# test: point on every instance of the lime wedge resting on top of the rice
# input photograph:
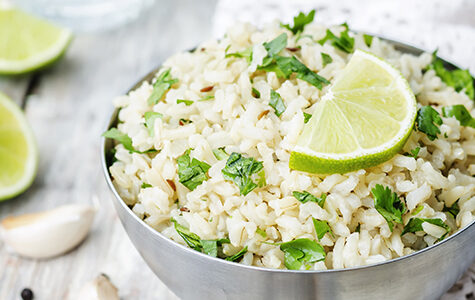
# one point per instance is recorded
(363, 120)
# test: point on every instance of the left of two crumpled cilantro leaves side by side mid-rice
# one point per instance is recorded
(191, 172)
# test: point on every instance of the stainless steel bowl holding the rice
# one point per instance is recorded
(426, 274)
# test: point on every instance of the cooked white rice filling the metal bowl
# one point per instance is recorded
(442, 173)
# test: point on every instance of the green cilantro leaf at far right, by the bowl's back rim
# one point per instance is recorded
(458, 79)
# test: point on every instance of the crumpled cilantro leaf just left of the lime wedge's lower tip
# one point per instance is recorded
(239, 169)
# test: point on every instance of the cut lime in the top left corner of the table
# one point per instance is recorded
(28, 43)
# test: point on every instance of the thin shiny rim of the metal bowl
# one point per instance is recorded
(400, 46)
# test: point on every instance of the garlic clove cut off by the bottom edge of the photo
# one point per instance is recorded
(99, 289)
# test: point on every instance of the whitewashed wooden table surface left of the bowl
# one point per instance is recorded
(68, 107)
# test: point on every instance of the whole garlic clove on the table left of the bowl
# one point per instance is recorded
(49, 233)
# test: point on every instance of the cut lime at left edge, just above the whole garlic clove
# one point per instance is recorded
(18, 152)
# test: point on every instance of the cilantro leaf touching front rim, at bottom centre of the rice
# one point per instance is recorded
(301, 251)
